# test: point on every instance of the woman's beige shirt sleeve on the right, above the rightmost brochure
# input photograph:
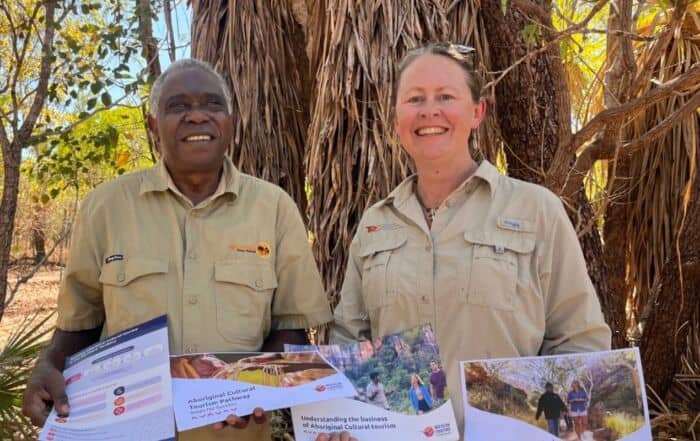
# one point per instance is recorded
(574, 321)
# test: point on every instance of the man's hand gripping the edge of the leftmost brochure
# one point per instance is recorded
(46, 387)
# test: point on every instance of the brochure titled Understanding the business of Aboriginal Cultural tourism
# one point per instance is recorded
(401, 391)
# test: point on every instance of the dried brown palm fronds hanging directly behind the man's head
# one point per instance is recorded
(258, 47)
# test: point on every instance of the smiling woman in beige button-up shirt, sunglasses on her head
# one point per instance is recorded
(492, 263)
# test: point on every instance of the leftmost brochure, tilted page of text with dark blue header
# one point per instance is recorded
(118, 389)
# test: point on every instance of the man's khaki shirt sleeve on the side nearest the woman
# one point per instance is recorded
(299, 301)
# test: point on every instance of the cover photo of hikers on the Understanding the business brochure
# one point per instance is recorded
(400, 372)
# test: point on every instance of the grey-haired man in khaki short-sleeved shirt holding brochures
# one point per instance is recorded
(223, 254)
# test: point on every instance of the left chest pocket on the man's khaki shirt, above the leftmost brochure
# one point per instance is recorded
(134, 290)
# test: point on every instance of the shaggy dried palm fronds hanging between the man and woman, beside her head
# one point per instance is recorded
(352, 158)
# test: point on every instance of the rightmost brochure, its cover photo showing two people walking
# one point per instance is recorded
(590, 396)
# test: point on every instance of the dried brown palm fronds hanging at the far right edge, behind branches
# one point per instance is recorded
(661, 172)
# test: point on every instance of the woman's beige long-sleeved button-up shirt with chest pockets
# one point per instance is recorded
(499, 274)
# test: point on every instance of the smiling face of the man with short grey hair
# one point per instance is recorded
(192, 125)
